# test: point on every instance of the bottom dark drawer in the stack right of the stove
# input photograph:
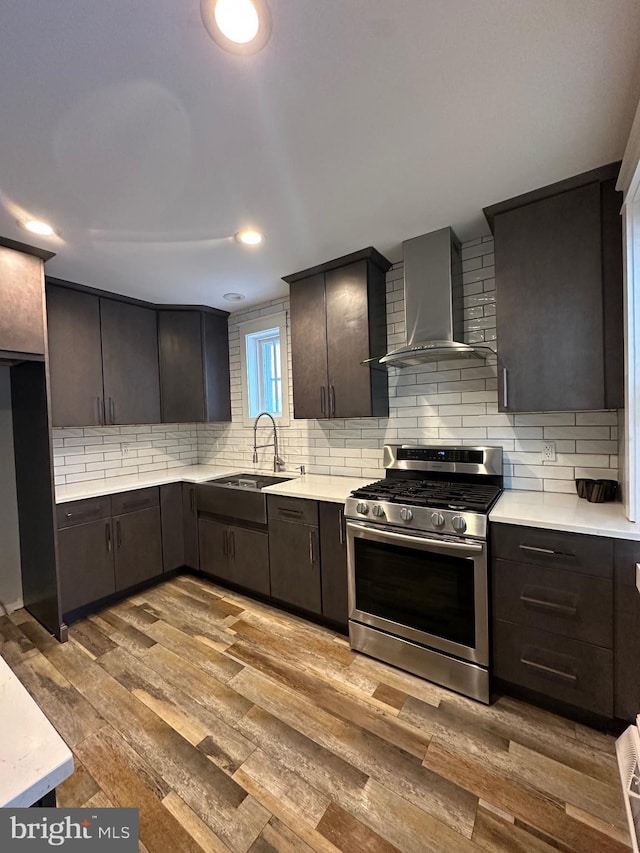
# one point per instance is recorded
(579, 674)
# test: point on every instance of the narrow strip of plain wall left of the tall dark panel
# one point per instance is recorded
(10, 574)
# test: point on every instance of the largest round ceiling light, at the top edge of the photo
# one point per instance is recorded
(239, 26)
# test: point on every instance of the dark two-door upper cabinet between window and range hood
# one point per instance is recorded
(338, 320)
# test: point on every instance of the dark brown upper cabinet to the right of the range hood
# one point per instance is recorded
(558, 255)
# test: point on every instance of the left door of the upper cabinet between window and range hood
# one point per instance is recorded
(309, 348)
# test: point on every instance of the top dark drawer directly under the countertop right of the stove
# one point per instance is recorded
(554, 549)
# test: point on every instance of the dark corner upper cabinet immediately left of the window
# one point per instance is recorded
(194, 366)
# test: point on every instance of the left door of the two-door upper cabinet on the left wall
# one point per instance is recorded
(75, 357)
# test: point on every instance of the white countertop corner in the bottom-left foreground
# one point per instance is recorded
(33, 757)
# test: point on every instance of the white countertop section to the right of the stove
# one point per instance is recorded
(563, 512)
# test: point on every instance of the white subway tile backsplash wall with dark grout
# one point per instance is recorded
(453, 402)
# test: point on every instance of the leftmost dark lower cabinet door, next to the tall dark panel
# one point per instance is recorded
(85, 563)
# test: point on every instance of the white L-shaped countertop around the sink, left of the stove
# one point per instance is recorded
(319, 487)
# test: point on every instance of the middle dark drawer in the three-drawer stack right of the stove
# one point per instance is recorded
(565, 603)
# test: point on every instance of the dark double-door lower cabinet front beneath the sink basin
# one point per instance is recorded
(235, 554)
